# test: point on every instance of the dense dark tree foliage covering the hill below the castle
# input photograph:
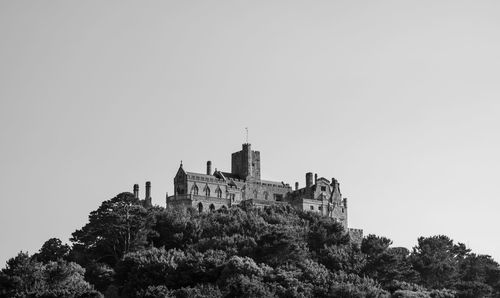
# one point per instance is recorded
(126, 250)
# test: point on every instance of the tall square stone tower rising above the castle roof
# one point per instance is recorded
(246, 163)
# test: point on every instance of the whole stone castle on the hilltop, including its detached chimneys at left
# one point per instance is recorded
(243, 186)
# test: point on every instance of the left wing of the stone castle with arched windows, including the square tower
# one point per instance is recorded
(218, 189)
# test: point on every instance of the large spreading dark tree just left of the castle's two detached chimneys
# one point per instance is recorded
(118, 226)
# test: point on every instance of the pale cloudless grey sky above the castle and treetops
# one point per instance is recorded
(398, 100)
